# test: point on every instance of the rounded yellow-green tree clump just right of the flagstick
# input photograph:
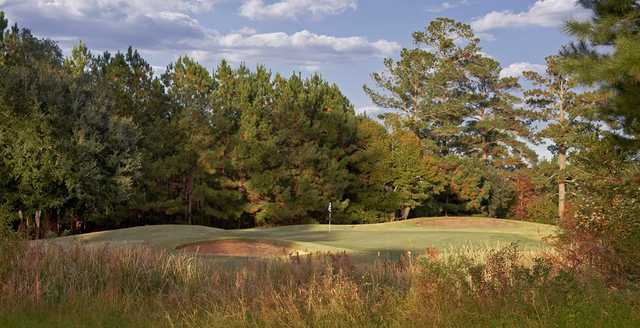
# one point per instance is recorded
(400, 175)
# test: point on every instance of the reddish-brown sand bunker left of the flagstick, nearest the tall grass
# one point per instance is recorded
(239, 248)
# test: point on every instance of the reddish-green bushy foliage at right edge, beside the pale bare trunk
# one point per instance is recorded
(607, 207)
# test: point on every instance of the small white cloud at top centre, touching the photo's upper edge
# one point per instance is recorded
(291, 9)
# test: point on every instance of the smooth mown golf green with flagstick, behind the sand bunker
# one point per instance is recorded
(387, 239)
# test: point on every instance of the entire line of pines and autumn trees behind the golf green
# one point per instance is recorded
(99, 141)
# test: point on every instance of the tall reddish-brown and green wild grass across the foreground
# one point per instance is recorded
(42, 285)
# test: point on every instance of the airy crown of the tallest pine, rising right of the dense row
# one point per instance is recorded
(427, 84)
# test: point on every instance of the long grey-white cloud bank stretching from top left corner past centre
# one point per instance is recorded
(167, 29)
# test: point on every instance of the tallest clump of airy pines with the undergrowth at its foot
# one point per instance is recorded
(452, 97)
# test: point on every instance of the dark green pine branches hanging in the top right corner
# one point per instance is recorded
(615, 26)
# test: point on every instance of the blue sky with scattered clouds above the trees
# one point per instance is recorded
(343, 40)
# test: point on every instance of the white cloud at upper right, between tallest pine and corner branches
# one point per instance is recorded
(543, 13)
